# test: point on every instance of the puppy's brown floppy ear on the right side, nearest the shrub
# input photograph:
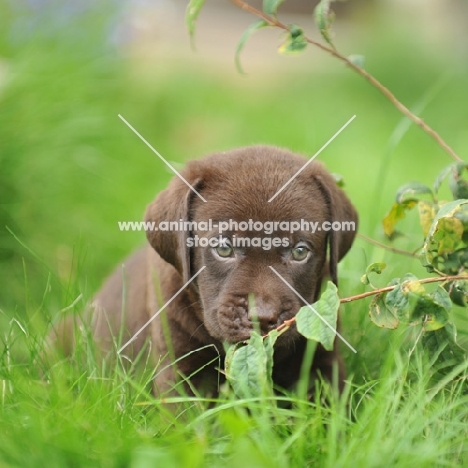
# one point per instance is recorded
(340, 209)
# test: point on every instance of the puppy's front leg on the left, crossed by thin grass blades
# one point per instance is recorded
(186, 357)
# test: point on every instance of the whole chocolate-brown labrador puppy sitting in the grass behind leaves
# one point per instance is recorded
(230, 261)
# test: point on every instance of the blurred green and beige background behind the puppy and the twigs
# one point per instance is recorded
(70, 169)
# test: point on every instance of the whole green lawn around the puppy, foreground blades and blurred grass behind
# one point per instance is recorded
(70, 170)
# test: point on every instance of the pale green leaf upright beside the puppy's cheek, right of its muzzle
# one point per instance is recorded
(309, 323)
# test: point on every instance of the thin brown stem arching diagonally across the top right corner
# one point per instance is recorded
(367, 76)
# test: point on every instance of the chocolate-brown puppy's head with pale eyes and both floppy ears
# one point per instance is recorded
(256, 254)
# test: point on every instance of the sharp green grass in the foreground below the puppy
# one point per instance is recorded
(80, 415)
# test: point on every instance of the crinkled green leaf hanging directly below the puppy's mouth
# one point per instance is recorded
(246, 368)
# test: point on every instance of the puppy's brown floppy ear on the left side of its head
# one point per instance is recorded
(173, 204)
